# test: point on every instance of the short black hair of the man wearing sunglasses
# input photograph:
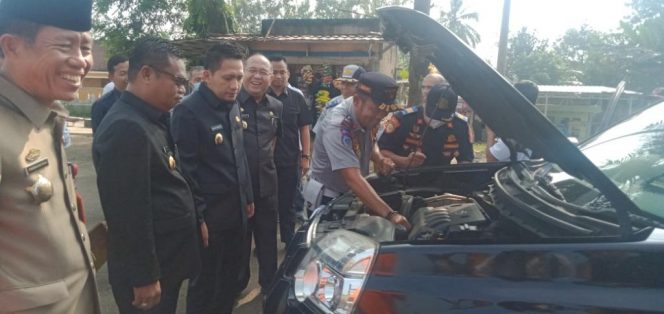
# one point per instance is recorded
(151, 51)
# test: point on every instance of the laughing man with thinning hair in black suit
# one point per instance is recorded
(262, 113)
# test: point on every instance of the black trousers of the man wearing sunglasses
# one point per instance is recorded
(124, 295)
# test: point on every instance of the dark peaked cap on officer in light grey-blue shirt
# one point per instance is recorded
(381, 88)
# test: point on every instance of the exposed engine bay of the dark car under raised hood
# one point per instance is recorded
(500, 211)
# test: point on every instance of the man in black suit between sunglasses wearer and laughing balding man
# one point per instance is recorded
(207, 128)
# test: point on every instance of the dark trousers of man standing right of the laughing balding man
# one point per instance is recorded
(288, 177)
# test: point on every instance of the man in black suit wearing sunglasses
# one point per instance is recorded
(146, 200)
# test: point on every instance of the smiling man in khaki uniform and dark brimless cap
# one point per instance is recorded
(45, 260)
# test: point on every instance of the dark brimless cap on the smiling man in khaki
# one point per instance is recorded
(75, 15)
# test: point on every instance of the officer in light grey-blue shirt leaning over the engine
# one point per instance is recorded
(344, 146)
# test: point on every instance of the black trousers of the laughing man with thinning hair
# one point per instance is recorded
(262, 228)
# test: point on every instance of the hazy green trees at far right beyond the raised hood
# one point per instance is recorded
(585, 56)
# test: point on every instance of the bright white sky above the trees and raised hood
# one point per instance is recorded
(548, 18)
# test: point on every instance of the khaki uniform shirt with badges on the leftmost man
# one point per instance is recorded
(45, 260)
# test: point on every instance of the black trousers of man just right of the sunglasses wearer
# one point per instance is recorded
(216, 288)
